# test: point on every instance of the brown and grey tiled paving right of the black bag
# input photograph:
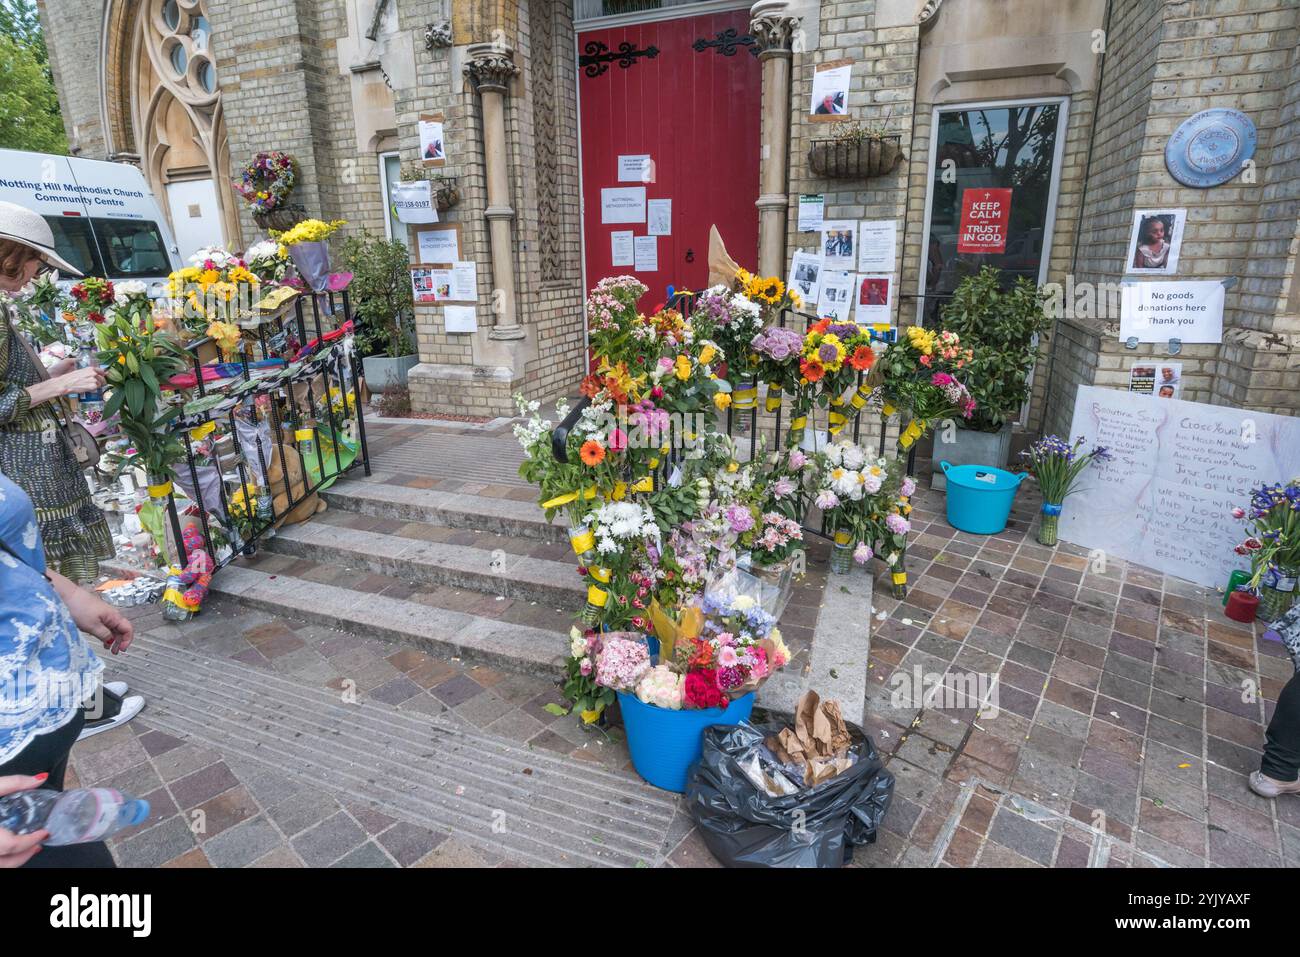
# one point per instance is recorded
(1130, 711)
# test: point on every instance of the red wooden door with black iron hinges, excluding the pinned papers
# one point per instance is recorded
(686, 93)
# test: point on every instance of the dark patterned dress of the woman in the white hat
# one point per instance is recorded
(37, 456)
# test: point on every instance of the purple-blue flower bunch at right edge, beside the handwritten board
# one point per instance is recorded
(1273, 545)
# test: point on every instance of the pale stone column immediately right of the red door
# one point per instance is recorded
(774, 31)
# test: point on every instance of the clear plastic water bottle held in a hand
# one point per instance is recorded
(72, 817)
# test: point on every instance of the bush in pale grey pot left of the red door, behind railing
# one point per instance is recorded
(382, 289)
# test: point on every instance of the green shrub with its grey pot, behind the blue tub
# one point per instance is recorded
(1002, 328)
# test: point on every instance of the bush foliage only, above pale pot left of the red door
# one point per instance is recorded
(382, 292)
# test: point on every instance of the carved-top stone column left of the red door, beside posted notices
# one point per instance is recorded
(491, 67)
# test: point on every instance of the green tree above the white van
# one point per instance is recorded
(29, 106)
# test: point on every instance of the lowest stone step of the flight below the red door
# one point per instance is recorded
(431, 629)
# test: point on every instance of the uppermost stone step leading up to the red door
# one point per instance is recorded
(508, 517)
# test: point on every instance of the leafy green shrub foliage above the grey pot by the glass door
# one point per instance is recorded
(1000, 327)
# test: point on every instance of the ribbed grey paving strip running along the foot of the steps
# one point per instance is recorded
(437, 772)
